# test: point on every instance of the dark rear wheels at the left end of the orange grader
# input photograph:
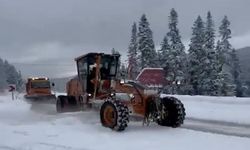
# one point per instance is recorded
(67, 104)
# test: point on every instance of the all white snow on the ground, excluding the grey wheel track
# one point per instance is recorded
(23, 127)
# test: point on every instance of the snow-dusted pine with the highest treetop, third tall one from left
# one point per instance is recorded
(176, 56)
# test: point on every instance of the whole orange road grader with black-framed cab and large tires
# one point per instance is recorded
(97, 86)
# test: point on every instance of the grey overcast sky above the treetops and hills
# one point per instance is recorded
(42, 37)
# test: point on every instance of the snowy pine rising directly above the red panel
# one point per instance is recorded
(146, 48)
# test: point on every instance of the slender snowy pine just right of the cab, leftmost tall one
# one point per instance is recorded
(133, 68)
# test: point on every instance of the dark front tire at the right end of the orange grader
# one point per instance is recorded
(172, 112)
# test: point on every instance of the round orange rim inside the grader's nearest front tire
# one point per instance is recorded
(109, 116)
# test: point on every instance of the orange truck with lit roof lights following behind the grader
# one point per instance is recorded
(38, 89)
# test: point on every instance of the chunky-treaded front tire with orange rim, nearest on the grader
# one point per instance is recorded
(114, 115)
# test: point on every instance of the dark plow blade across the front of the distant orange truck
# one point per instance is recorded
(47, 99)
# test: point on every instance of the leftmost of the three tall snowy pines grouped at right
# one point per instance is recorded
(197, 56)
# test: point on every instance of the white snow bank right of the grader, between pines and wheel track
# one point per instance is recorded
(229, 109)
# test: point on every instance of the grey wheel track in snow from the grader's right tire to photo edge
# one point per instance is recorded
(217, 127)
